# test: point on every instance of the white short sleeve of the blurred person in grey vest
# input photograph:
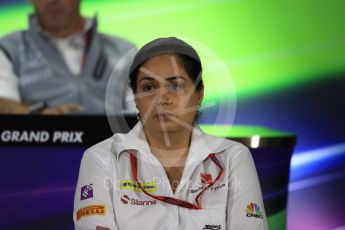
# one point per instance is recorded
(8, 79)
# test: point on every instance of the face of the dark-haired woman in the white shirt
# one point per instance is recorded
(165, 95)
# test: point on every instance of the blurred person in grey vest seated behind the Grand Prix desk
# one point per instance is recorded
(60, 65)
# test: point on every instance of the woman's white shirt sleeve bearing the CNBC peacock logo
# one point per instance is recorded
(245, 204)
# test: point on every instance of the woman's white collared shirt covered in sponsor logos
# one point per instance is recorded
(107, 194)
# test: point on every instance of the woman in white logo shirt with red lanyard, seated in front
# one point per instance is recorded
(166, 173)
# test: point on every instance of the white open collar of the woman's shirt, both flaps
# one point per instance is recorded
(201, 146)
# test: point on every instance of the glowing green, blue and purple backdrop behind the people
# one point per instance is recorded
(287, 63)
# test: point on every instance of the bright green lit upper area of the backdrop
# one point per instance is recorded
(266, 45)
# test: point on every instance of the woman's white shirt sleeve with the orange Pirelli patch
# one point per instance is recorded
(93, 204)
